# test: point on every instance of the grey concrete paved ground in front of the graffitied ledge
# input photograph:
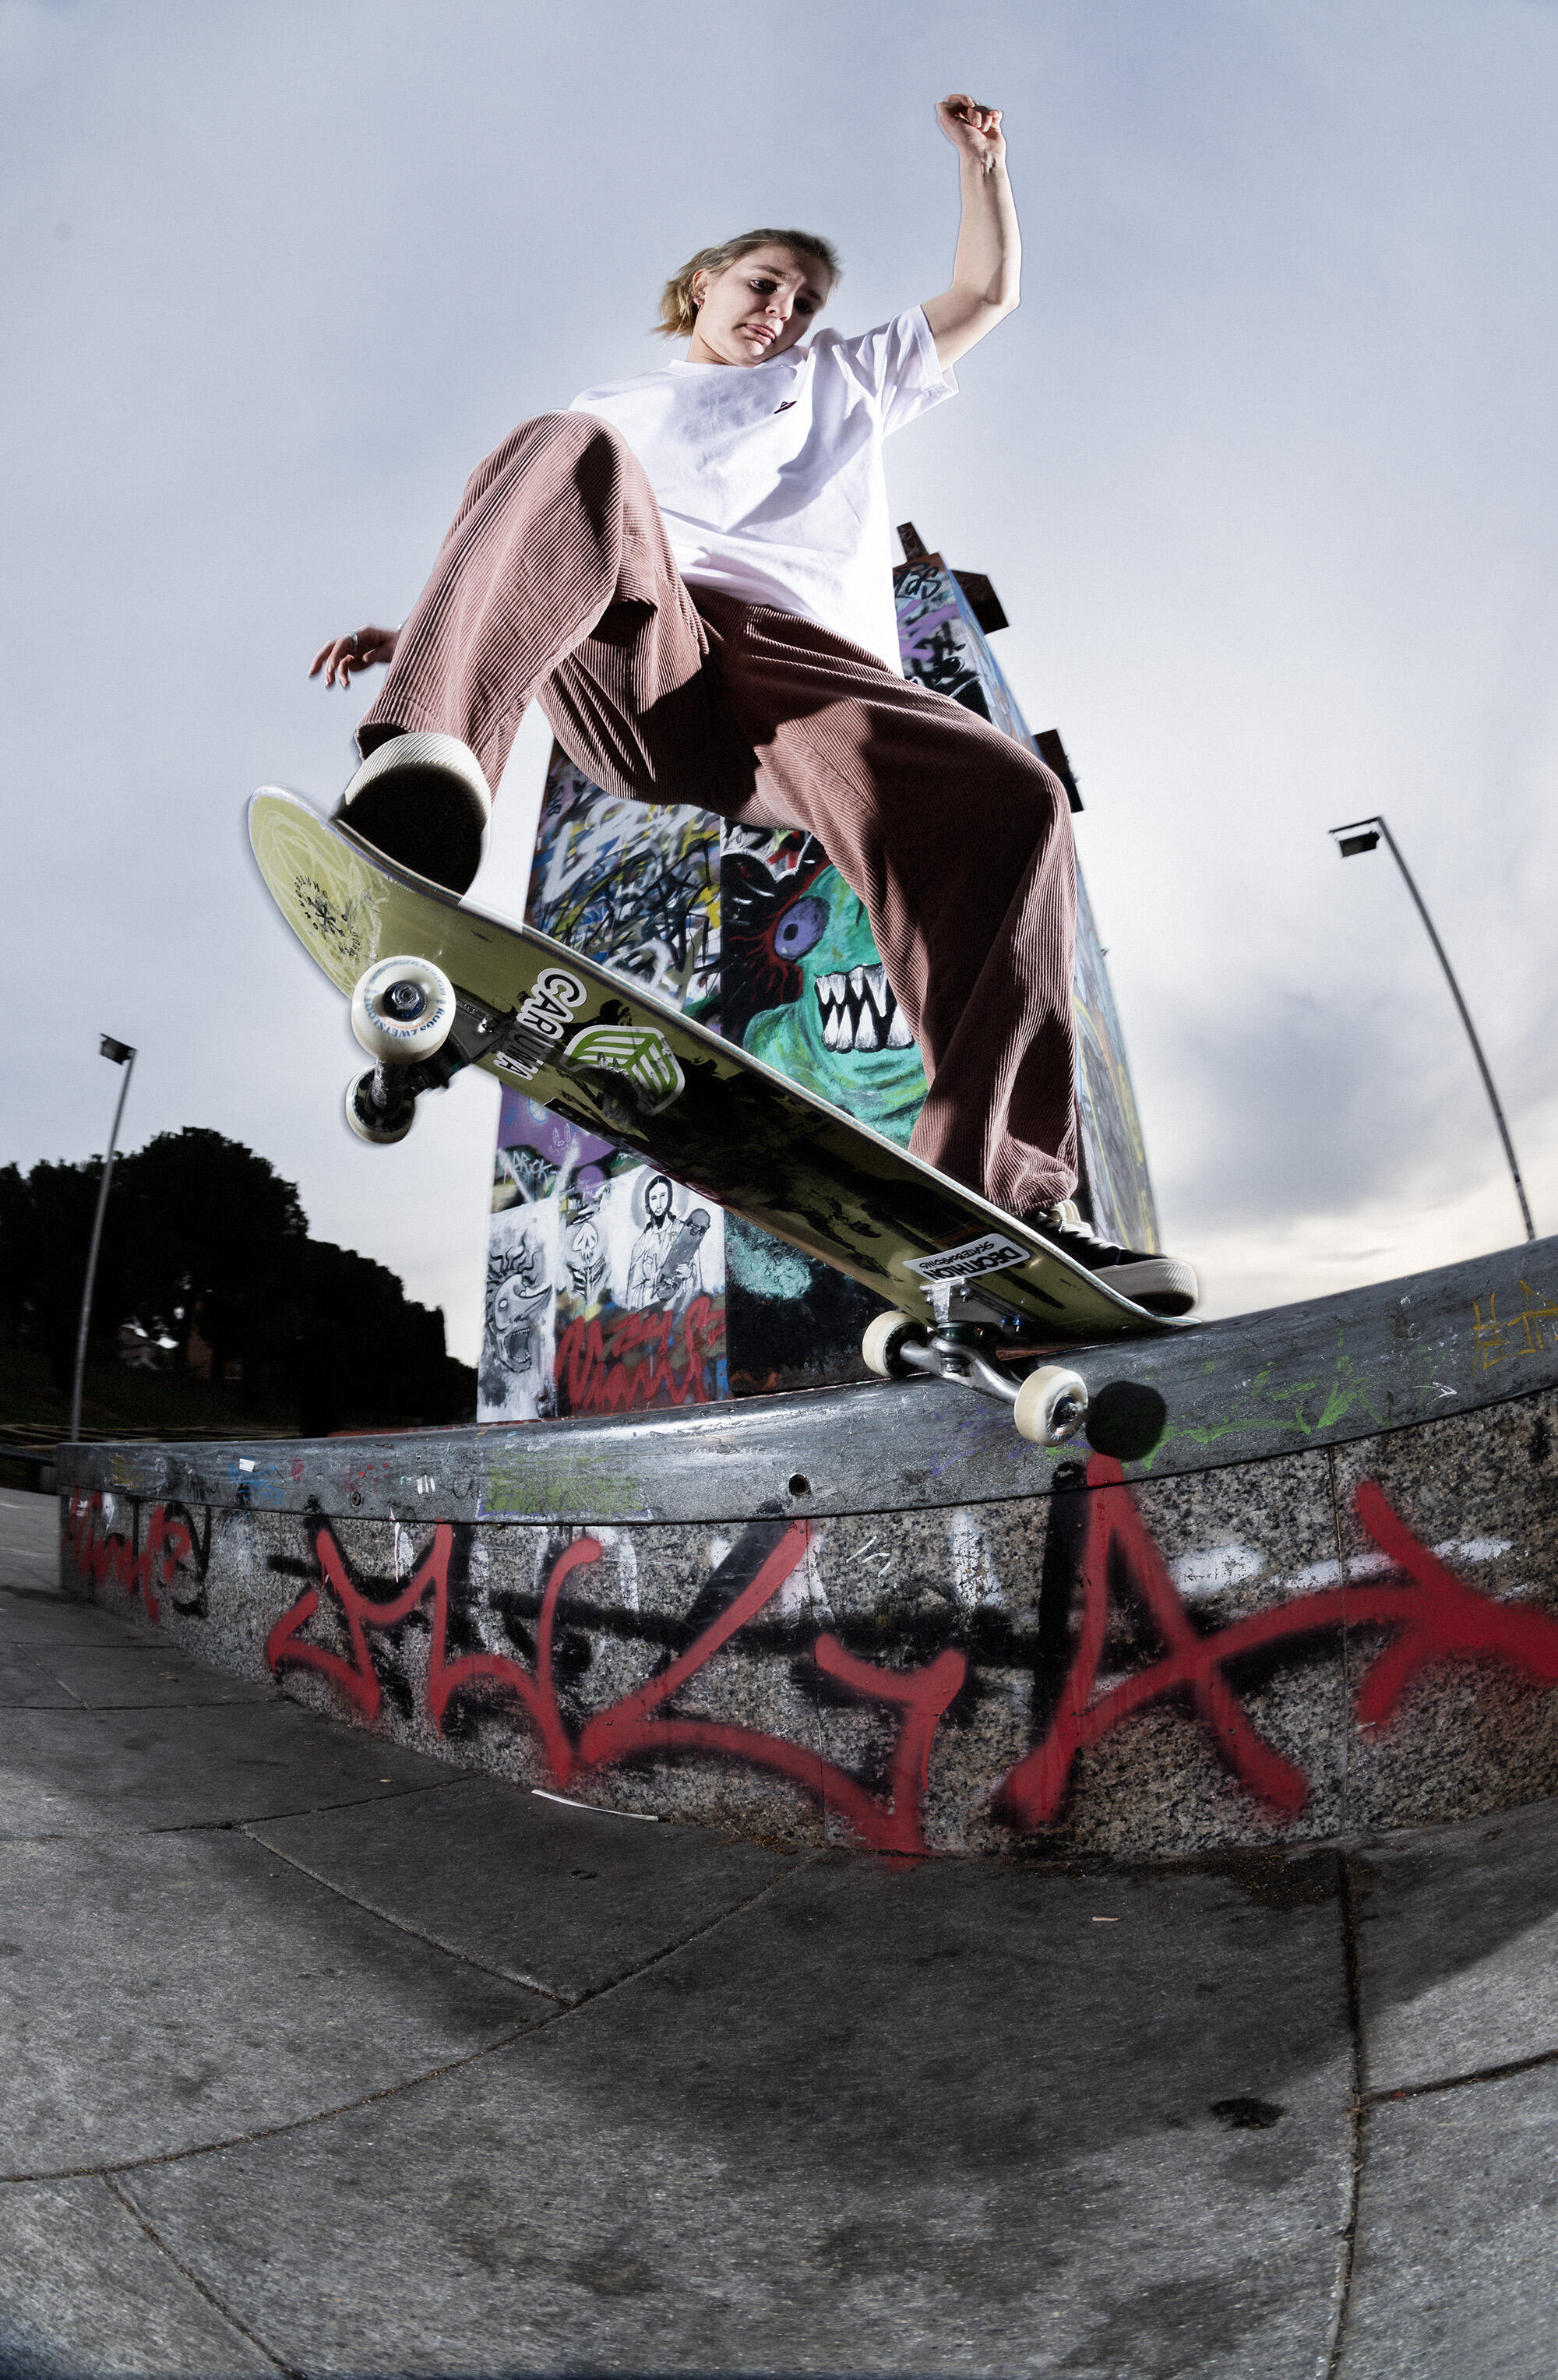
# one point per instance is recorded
(325, 2058)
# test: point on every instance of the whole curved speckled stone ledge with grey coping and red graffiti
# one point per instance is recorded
(1319, 1612)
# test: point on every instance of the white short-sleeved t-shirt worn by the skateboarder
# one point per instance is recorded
(769, 477)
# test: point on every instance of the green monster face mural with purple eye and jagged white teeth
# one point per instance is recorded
(805, 989)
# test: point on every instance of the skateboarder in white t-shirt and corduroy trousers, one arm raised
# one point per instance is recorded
(691, 572)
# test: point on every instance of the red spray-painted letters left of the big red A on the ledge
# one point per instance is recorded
(634, 1724)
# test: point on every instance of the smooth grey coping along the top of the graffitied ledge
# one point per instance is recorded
(1236, 1391)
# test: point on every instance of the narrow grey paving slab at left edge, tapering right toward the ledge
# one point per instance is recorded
(122, 1772)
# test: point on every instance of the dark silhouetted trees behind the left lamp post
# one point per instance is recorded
(208, 1248)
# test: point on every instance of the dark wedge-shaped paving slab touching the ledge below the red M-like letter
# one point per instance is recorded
(563, 1898)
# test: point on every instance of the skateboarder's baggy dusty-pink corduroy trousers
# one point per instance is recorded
(558, 584)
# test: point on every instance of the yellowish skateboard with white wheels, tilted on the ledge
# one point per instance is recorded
(436, 987)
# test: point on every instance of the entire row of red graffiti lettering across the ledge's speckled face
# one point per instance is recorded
(1424, 1617)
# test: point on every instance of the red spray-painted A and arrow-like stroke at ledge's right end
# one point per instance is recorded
(1433, 1612)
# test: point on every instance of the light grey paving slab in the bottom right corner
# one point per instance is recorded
(1457, 2224)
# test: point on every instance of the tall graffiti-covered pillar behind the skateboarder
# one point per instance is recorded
(612, 1289)
